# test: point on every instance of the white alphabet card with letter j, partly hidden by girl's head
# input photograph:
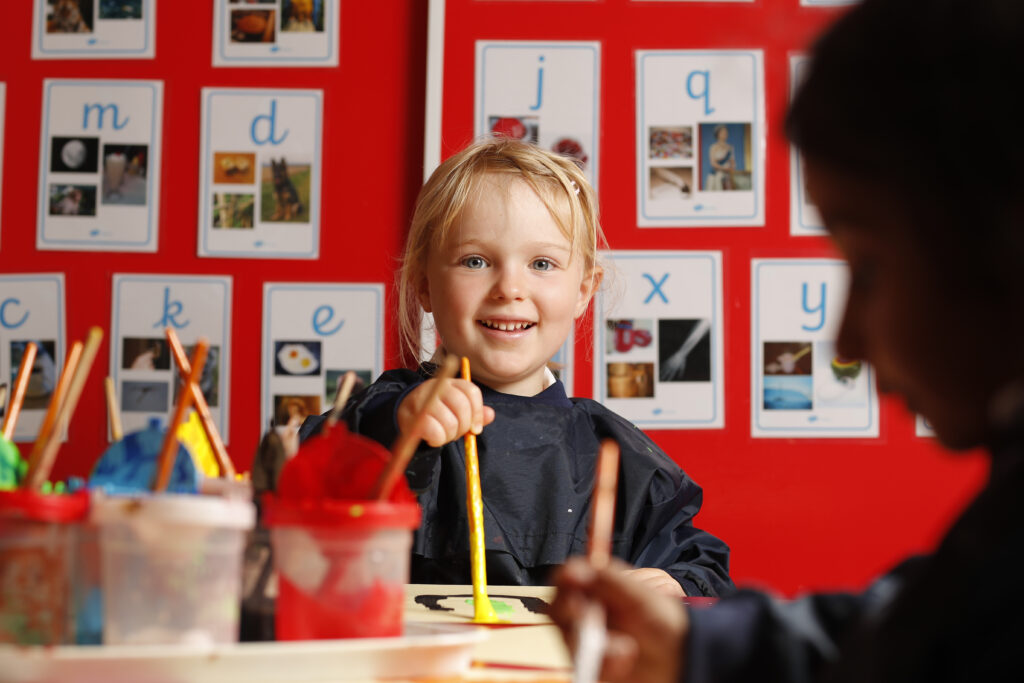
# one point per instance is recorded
(545, 94)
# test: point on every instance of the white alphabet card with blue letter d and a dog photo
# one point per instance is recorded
(261, 174)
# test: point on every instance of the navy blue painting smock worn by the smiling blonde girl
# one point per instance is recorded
(537, 473)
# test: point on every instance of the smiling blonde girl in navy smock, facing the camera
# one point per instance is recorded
(503, 252)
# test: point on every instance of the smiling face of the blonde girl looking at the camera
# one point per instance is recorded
(506, 288)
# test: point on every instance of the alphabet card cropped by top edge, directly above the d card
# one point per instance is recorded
(276, 33)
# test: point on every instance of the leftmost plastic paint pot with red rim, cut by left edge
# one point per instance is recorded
(37, 561)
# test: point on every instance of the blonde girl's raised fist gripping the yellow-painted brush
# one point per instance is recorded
(459, 409)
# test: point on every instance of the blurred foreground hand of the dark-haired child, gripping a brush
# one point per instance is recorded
(647, 633)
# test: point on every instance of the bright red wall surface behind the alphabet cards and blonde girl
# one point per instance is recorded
(799, 514)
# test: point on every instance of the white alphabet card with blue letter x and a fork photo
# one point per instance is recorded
(660, 347)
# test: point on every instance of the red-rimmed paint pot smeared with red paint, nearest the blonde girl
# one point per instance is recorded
(343, 567)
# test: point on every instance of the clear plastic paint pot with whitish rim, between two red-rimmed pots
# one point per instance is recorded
(172, 568)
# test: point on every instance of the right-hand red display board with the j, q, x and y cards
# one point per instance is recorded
(676, 78)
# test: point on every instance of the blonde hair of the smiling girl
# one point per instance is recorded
(457, 182)
